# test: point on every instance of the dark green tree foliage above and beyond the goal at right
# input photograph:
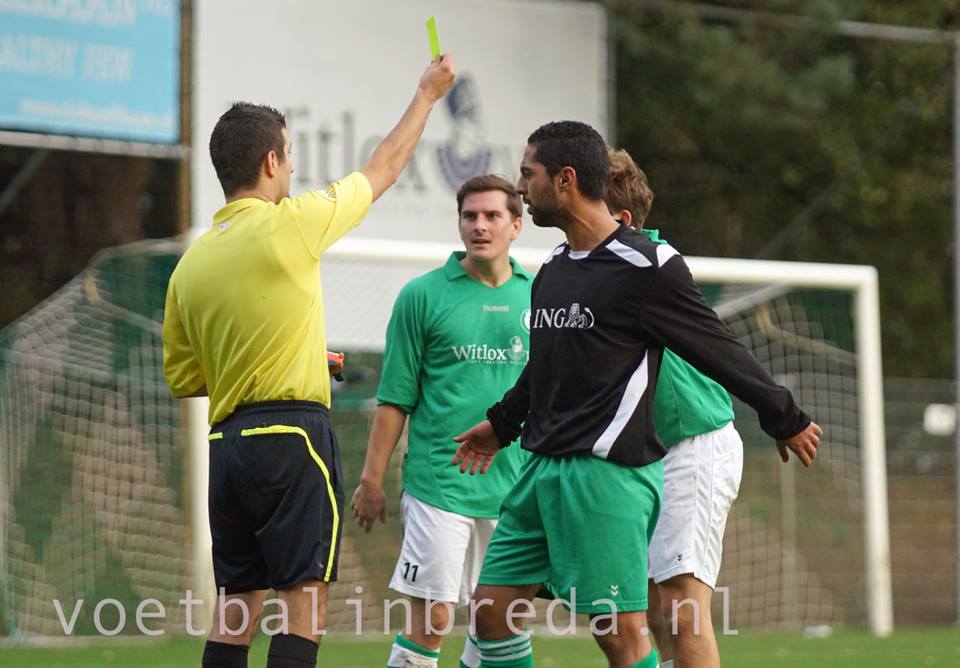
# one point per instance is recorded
(795, 144)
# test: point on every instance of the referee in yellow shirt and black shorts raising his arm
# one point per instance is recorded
(244, 324)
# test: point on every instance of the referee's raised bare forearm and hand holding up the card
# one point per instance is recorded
(394, 152)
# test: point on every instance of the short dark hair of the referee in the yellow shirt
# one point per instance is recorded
(241, 140)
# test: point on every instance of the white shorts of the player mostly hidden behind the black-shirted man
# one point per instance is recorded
(701, 478)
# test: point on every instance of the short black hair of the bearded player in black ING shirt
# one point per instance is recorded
(573, 144)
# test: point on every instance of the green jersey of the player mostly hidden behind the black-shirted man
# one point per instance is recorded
(686, 402)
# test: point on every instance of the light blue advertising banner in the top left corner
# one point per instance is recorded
(93, 68)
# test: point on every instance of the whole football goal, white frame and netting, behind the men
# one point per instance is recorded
(102, 496)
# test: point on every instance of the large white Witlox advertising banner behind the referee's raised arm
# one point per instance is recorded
(344, 72)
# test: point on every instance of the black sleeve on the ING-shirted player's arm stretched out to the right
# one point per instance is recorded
(677, 316)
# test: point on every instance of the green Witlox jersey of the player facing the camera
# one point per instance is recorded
(454, 346)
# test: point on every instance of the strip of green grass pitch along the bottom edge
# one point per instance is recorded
(907, 648)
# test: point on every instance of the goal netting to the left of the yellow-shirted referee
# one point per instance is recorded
(92, 467)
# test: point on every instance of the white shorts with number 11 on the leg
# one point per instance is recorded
(442, 552)
